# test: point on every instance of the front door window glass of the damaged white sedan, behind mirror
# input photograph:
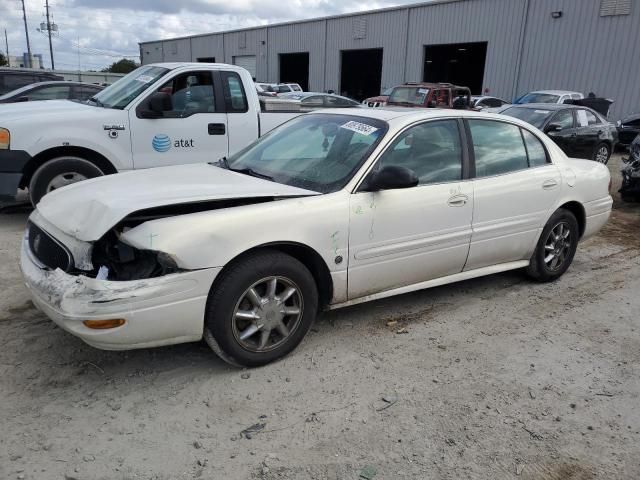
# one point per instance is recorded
(431, 150)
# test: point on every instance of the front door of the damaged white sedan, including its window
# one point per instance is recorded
(406, 236)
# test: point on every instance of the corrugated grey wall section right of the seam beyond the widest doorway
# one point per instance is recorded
(583, 51)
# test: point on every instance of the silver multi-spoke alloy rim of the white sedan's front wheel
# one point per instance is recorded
(267, 314)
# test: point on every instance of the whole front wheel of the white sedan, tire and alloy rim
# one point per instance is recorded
(261, 308)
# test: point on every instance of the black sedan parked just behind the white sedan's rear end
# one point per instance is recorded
(579, 131)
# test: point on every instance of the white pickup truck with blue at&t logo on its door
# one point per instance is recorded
(159, 114)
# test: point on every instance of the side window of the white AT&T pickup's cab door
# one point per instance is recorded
(190, 93)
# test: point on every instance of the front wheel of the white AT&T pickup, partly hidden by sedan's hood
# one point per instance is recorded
(60, 172)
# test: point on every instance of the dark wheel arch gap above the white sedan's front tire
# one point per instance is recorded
(306, 255)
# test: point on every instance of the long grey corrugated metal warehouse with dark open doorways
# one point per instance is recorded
(505, 47)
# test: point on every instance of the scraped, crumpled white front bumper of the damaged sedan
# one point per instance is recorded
(158, 311)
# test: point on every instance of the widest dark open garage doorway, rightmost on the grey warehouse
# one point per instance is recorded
(457, 63)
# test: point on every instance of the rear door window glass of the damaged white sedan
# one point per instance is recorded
(498, 148)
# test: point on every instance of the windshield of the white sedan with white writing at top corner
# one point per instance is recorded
(319, 152)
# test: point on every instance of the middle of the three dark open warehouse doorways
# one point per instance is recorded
(361, 73)
